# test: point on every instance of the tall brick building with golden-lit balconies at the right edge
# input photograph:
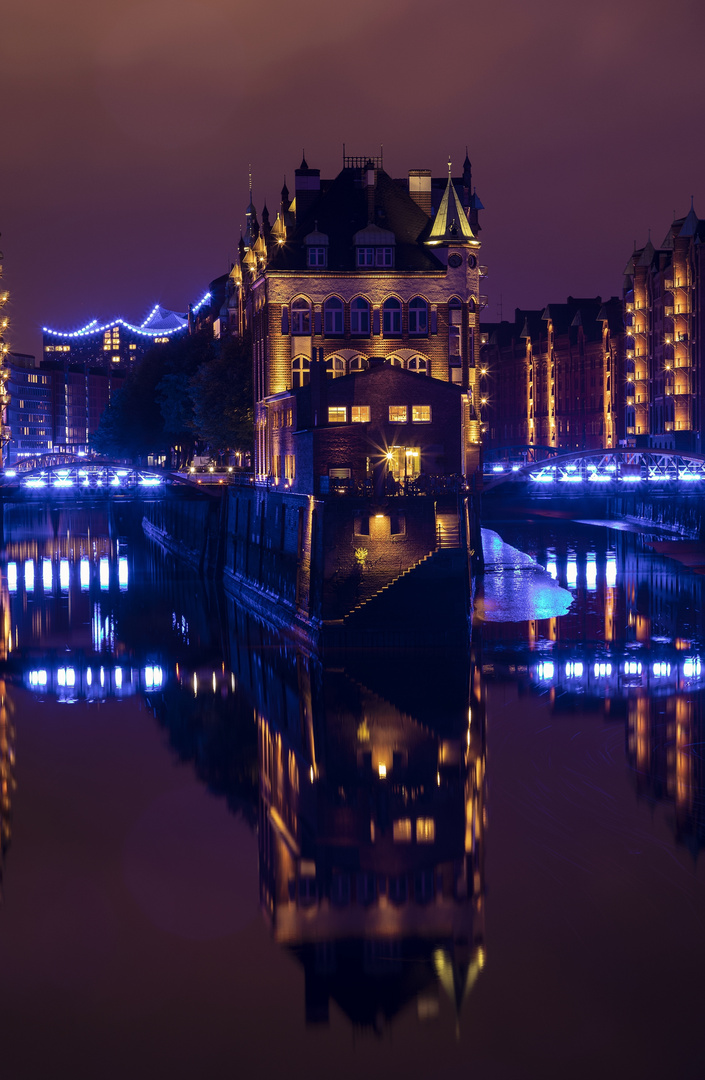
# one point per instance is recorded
(665, 301)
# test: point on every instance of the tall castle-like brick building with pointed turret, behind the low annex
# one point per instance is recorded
(360, 268)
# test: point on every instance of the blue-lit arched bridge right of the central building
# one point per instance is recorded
(590, 472)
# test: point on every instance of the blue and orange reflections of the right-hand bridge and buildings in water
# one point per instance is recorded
(631, 645)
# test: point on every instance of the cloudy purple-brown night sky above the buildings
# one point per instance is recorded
(129, 126)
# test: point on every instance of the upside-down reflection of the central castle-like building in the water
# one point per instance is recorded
(372, 834)
